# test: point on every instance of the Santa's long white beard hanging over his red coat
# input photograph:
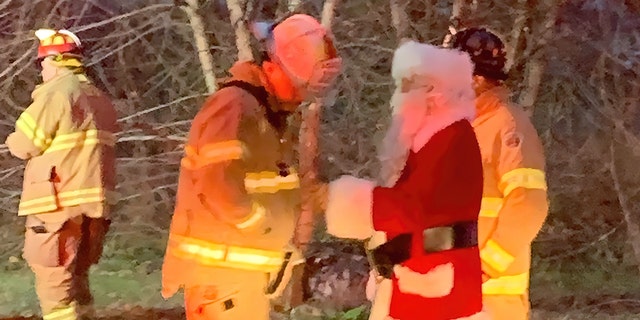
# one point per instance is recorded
(409, 111)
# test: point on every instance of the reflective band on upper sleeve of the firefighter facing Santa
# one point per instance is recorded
(212, 153)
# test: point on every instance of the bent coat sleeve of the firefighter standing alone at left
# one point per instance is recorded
(37, 125)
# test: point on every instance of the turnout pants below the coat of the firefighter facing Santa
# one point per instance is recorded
(238, 294)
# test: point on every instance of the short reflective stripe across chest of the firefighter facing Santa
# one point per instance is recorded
(270, 182)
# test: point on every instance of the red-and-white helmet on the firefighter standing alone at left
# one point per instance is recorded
(58, 42)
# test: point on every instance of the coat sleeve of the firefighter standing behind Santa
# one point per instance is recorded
(524, 208)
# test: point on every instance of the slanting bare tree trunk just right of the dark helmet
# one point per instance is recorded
(537, 64)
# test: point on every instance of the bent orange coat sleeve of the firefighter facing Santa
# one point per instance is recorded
(217, 170)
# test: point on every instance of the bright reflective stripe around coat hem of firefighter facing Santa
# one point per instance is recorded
(220, 255)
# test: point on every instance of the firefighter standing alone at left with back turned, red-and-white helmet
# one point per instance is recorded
(67, 138)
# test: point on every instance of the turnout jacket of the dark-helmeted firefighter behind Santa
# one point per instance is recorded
(514, 204)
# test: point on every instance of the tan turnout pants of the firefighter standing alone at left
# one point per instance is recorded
(60, 255)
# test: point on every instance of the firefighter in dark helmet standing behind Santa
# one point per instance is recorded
(514, 205)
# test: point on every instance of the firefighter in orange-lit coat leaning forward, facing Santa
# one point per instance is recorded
(238, 192)
